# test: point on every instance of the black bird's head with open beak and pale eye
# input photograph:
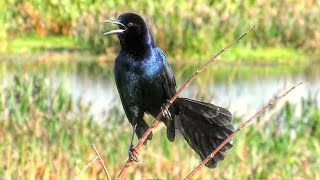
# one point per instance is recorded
(133, 31)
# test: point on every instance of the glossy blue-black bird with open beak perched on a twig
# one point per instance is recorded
(145, 82)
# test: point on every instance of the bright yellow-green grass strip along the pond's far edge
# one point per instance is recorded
(238, 54)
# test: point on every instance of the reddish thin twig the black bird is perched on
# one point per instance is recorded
(186, 84)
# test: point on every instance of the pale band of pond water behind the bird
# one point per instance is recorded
(243, 94)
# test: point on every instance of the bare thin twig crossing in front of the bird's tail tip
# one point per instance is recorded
(272, 102)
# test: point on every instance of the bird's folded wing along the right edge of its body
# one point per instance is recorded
(167, 75)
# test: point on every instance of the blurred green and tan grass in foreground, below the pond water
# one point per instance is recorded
(43, 134)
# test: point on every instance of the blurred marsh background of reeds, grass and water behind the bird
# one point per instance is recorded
(58, 96)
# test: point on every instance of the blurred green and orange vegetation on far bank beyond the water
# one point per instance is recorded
(184, 30)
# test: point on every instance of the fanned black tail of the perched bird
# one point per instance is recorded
(204, 126)
